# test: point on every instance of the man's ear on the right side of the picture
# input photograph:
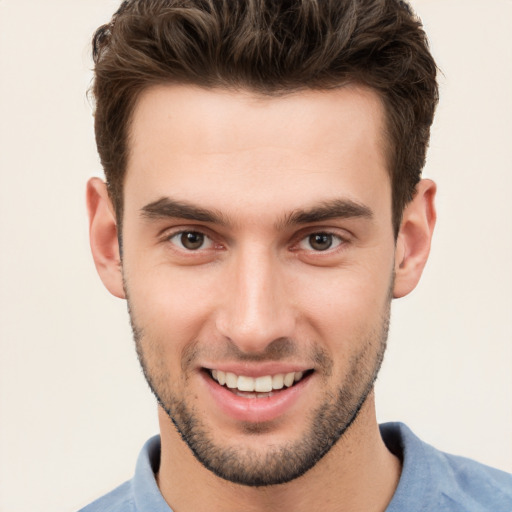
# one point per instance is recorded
(414, 238)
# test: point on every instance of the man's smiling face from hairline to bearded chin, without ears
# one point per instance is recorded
(258, 257)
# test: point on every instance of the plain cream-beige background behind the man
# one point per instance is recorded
(74, 407)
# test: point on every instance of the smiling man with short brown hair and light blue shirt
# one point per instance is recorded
(263, 205)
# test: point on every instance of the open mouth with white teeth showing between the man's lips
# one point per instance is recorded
(264, 386)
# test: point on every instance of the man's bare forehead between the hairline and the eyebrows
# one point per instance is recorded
(225, 149)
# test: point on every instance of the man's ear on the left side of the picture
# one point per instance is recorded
(103, 237)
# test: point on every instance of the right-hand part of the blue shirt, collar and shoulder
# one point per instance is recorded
(444, 482)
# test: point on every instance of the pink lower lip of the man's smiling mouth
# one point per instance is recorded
(255, 410)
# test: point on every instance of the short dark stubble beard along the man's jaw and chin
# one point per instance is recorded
(279, 464)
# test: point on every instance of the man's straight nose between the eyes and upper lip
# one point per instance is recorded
(256, 307)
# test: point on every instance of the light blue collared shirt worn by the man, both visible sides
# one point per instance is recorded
(431, 481)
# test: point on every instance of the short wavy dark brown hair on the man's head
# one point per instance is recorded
(270, 47)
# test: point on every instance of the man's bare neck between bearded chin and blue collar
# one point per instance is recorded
(357, 474)
